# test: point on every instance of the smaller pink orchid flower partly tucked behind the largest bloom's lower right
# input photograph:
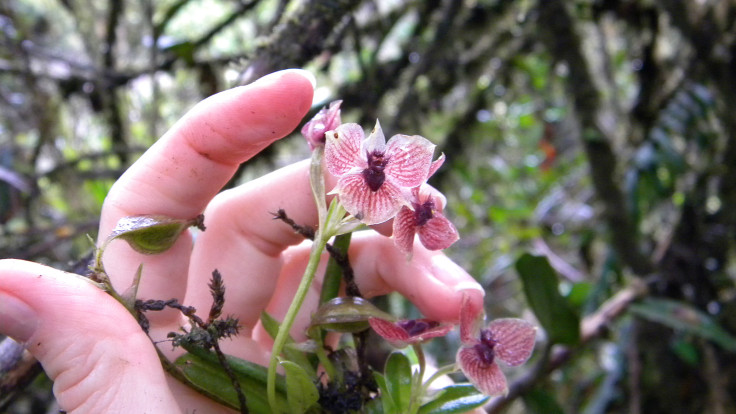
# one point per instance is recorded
(425, 218)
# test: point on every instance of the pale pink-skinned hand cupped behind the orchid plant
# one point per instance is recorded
(94, 350)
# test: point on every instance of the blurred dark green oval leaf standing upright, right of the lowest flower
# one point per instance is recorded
(553, 311)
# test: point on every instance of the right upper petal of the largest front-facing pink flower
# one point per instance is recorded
(409, 159)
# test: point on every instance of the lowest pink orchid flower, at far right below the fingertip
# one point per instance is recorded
(508, 340)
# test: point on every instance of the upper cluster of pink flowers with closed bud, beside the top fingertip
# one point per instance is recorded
(380, 180)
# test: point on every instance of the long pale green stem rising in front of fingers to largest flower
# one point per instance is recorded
(301, 293)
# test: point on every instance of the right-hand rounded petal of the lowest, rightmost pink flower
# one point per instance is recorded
(514, 340)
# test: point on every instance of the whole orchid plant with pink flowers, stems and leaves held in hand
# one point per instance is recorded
(377, 180)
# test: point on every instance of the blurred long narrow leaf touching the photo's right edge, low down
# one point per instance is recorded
(686, 318)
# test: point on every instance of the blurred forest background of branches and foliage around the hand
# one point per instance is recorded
(597, 135)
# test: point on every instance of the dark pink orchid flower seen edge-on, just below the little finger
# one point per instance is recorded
(408, 331)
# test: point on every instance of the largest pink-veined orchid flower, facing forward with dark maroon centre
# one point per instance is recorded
(375, 177)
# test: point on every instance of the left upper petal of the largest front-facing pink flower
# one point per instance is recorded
(342, 149)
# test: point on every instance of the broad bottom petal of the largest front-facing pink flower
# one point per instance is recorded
(370, 207)
